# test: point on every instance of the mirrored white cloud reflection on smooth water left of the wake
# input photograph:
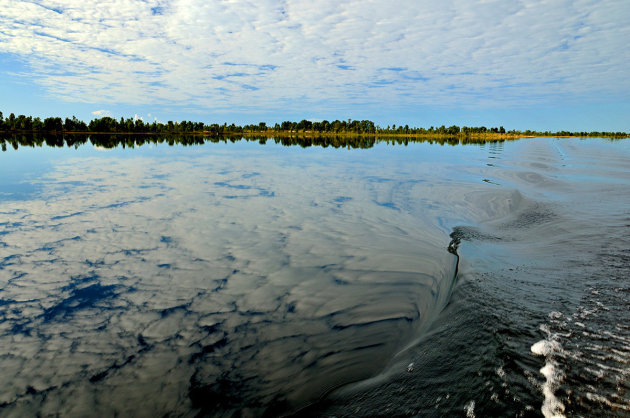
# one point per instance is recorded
(214, 282)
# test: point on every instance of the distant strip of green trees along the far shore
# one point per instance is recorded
(22, 123)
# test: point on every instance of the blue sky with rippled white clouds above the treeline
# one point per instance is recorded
(521, 64)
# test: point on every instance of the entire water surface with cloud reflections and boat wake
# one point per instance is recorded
(247, 280)
